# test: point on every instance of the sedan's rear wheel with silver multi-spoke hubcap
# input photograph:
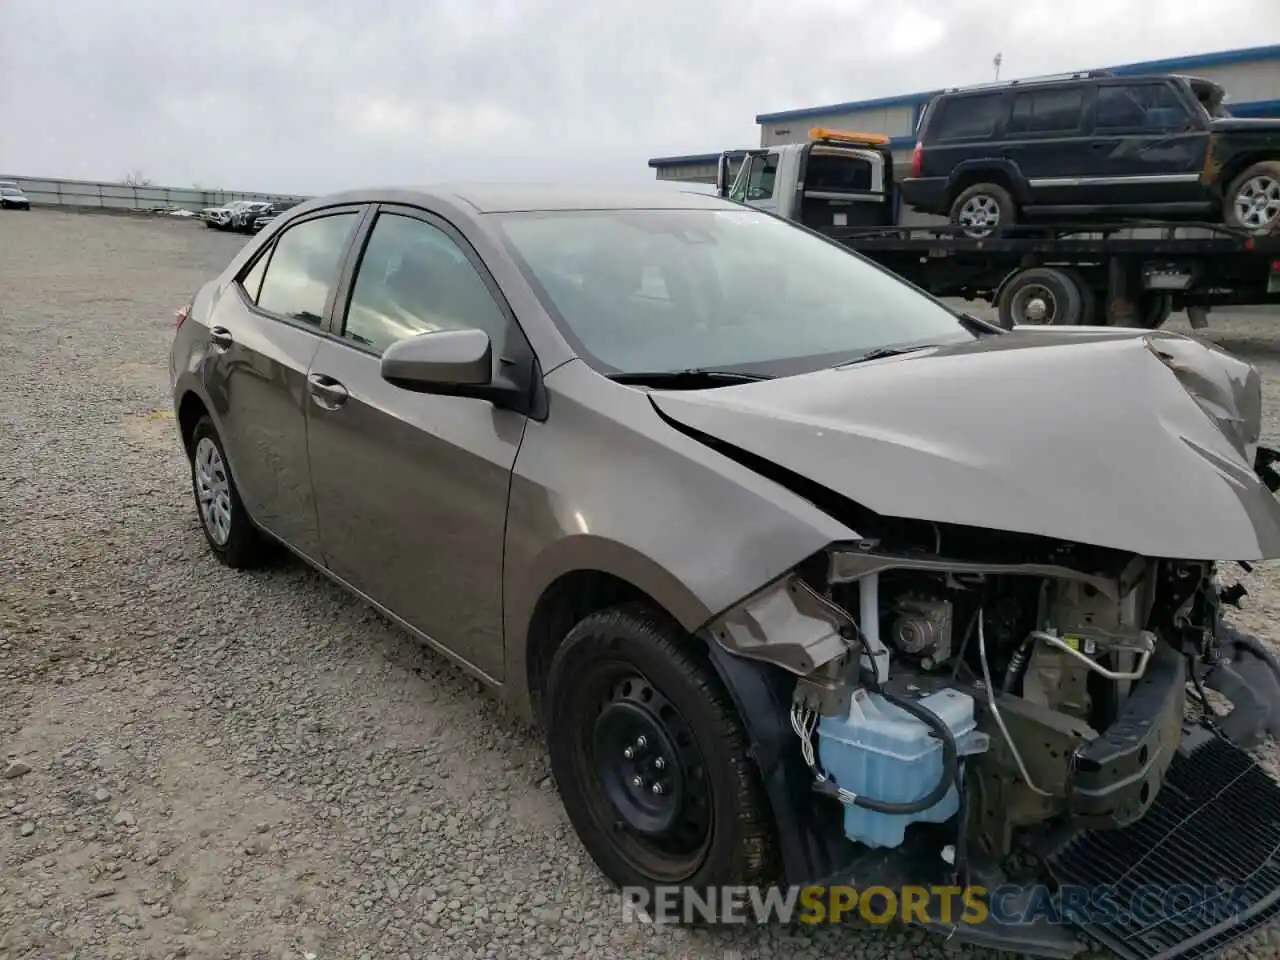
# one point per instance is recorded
(228, 529)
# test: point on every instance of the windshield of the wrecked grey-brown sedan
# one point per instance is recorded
(724, 290)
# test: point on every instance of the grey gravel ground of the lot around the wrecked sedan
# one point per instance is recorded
(218, 765)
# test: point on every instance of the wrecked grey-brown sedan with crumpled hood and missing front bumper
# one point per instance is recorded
(808, 579)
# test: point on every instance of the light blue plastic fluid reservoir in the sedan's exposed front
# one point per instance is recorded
(884, 753)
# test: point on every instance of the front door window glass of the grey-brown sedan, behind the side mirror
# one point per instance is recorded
(414, 278)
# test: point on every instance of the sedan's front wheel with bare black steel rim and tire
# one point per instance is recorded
(651, 757)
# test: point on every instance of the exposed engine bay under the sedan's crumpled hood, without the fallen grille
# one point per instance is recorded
(1032, 688)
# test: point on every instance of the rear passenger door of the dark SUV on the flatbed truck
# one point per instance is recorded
(1046, 136)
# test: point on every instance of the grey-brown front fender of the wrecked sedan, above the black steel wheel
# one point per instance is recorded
(607, 486)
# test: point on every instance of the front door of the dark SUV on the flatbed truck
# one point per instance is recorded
(1150, 145)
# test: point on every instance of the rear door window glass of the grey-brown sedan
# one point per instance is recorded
(304, 268)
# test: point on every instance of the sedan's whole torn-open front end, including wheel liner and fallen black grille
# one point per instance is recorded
(950, 706)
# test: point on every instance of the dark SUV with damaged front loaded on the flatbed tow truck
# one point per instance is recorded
(1094, 147)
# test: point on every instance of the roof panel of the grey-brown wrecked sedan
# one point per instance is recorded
(499, 199)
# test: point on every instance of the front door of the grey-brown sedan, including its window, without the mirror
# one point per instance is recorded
(412, 490)
